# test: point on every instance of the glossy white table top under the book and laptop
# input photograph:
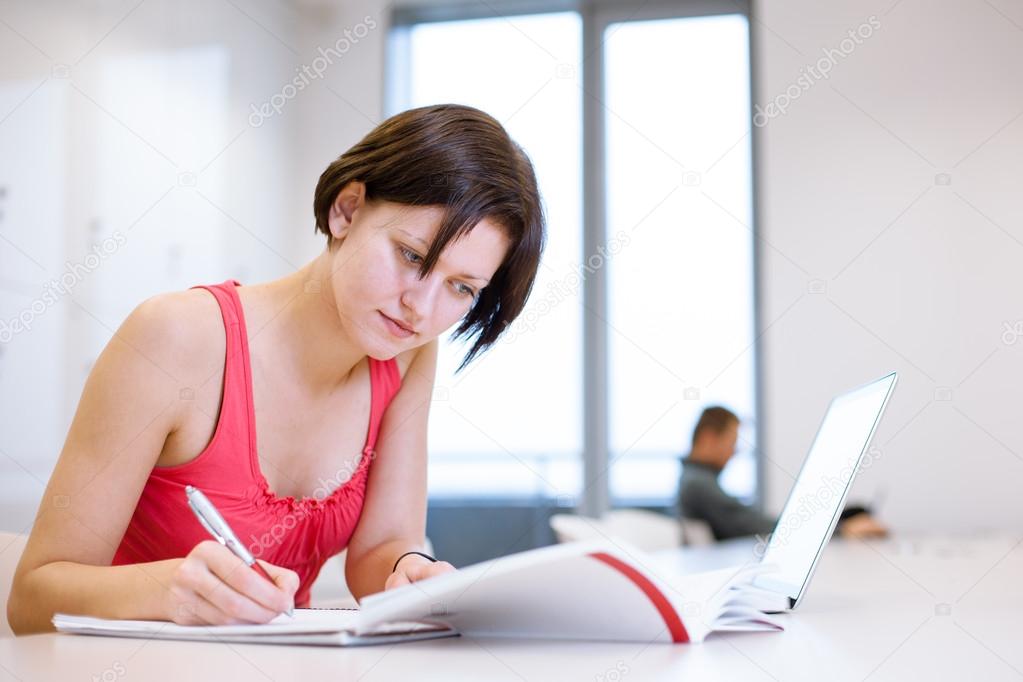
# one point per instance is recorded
(930, 609)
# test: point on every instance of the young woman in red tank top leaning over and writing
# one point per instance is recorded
(260, 396)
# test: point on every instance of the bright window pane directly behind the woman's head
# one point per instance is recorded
(511, 423)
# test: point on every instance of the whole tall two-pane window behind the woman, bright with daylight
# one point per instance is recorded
(675, 262)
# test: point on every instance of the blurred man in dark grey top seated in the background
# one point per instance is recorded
(701, 497)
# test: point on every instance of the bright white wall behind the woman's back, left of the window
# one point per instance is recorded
(130, 120)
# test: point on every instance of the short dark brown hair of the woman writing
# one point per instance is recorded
(464, 160)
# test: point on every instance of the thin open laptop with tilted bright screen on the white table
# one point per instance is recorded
(817, 501)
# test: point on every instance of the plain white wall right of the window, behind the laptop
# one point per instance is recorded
(919, 277)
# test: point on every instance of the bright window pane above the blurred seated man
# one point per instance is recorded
(681, 291)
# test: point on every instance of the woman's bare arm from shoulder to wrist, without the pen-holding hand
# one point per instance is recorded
(127, 410)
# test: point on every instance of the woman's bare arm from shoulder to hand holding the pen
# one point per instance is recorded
(130, 403)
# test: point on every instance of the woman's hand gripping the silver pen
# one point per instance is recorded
(212, 586)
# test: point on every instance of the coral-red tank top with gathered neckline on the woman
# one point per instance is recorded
(298, 534)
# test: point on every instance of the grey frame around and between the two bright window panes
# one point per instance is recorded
(597, 16)
